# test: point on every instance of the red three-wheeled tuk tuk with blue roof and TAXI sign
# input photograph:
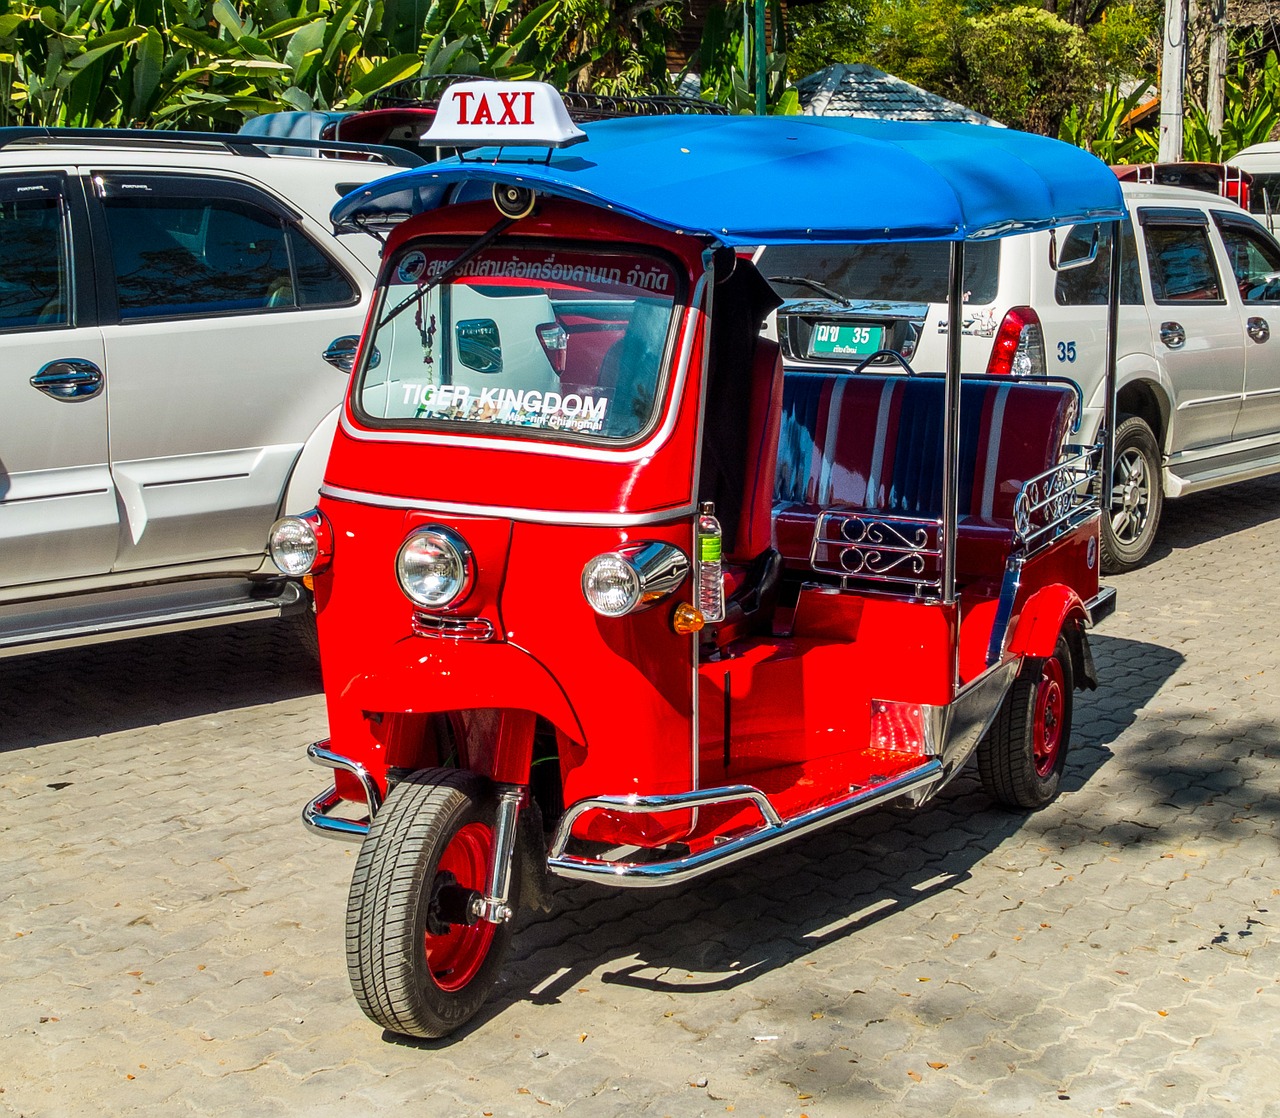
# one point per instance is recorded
(602, 592)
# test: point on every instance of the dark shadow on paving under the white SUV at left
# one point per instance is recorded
(107, 688)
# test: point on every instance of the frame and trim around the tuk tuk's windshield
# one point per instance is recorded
(510, 435)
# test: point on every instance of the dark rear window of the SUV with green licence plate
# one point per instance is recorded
(899, 272)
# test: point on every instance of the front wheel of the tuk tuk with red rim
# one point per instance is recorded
(413, 973)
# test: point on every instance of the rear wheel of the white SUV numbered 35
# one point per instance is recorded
(1137, 498)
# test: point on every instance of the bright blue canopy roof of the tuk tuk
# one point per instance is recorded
(785, 180)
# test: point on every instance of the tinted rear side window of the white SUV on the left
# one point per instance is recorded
(181, 257)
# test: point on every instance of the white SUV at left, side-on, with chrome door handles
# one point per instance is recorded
(166, 307)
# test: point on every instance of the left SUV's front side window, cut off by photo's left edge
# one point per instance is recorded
(35, 284)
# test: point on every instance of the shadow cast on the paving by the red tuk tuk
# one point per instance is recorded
(757, 916)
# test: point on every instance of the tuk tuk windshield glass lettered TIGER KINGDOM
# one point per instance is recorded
(568, 344)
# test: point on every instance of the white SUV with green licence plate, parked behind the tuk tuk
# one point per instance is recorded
(1199, 369)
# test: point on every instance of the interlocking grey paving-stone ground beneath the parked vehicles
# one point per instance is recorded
(171, 939)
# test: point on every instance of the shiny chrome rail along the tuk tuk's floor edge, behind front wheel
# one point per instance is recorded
(772, 830)
